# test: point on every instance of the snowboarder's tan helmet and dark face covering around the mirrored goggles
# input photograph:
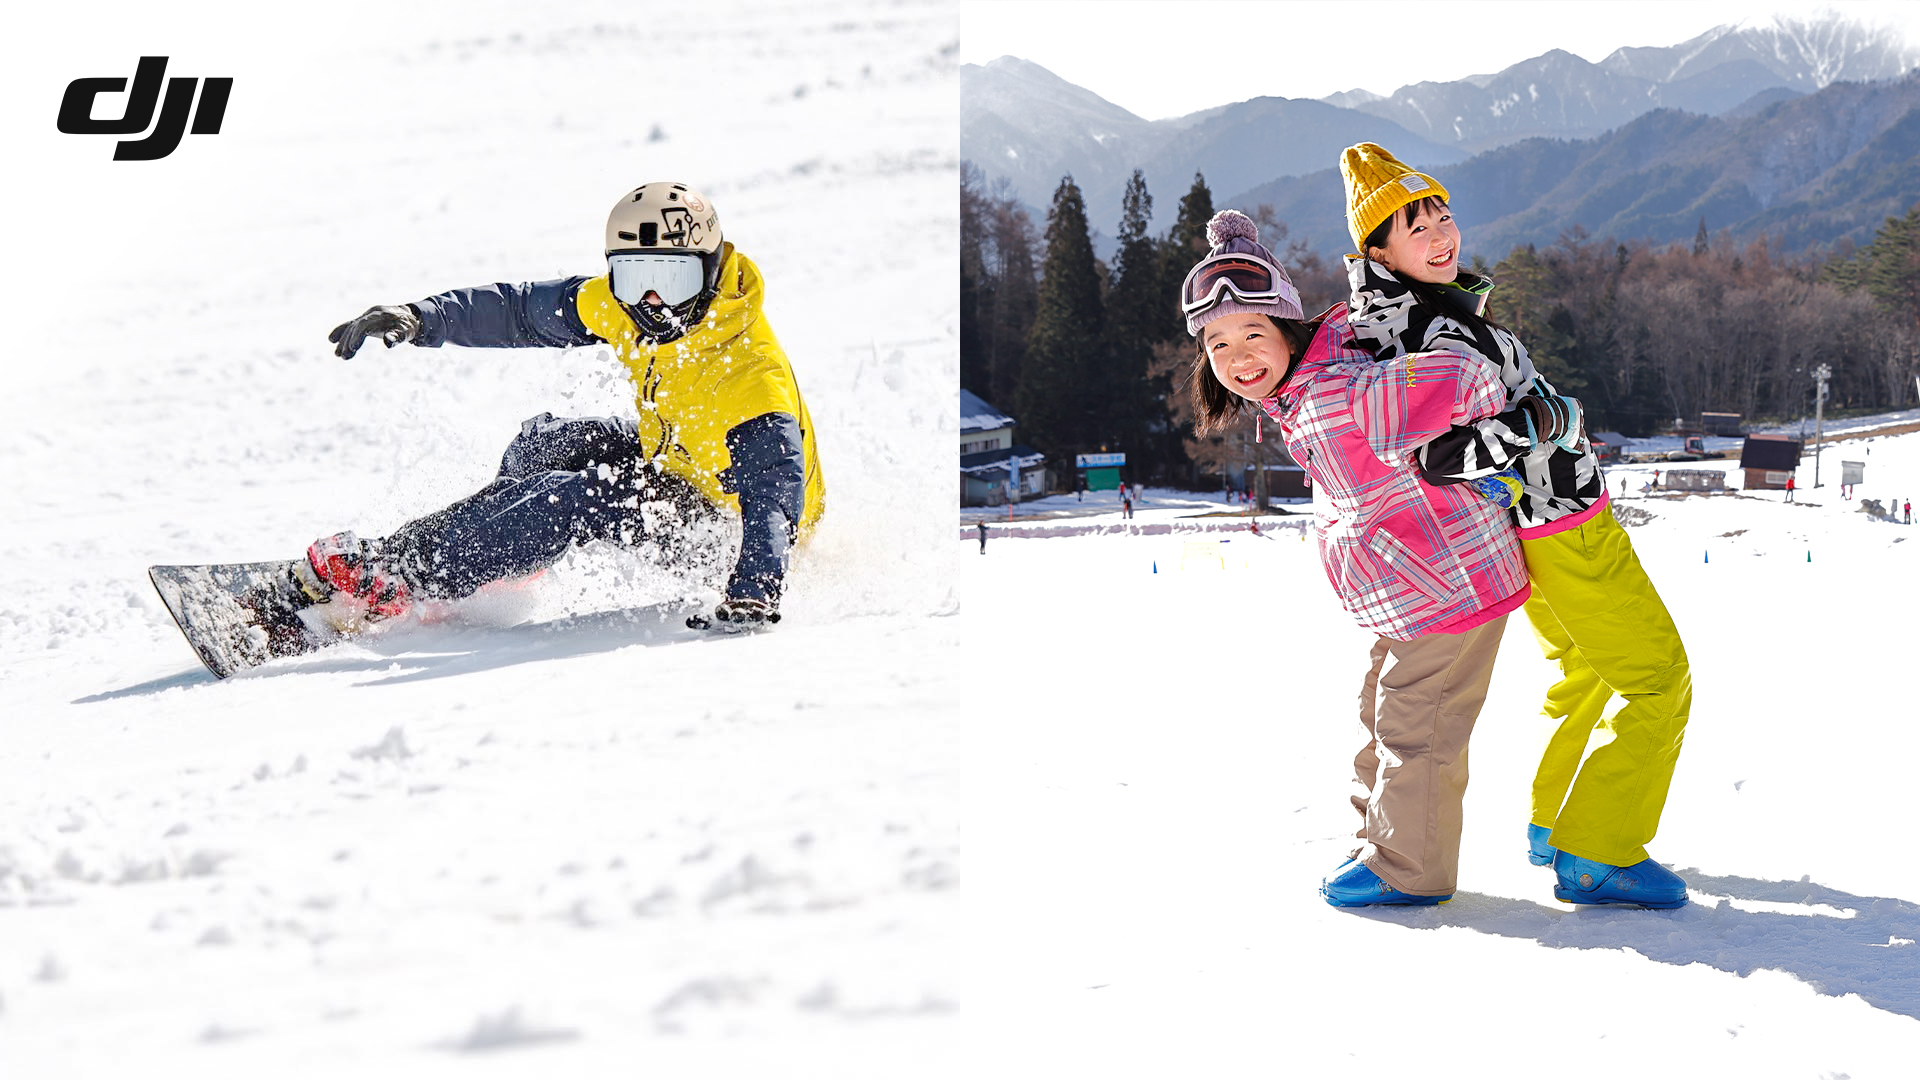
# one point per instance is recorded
(667, 218)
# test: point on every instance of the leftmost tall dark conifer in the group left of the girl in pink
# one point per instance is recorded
(1059, 397)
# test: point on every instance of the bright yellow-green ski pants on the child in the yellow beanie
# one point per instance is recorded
(1595, 612)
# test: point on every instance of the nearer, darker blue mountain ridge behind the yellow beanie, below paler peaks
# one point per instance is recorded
(1802, 172)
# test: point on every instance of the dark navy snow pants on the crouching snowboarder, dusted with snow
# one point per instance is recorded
(562, 481)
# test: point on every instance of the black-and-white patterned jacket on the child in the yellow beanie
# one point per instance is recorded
(1391, 322)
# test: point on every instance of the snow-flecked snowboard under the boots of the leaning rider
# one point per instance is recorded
(241, 616)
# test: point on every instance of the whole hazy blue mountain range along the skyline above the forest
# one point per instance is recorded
(1621, 147)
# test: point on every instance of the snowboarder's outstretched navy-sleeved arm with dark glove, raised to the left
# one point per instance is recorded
(492, 316)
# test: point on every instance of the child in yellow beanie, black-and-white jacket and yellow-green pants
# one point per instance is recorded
(1593, 606)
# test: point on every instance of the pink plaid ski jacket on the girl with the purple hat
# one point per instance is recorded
(1406, 558)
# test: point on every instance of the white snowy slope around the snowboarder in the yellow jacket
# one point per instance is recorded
(562, 833)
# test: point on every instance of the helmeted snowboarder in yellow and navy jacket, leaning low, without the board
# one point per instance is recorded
(721, 424)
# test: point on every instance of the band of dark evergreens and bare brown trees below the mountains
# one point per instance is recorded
(1093, 356)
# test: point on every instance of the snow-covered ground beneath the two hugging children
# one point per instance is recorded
(1161, 768)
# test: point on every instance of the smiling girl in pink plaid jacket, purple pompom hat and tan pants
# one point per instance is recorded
(1431, 570)
